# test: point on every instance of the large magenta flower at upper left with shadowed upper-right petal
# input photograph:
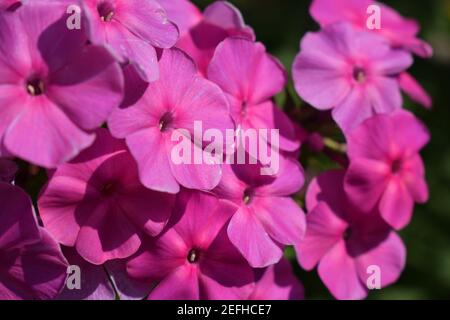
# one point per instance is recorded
(57, 90)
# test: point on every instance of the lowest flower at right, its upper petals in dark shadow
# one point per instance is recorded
(346, 244)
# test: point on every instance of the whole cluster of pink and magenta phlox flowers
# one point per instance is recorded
(97, 107)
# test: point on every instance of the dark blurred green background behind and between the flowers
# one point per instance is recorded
(280, 24)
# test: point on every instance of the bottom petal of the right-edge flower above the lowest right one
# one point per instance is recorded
(396, 205)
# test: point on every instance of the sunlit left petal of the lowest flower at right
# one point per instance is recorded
(324, 230)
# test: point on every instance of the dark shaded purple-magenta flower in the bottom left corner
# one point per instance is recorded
(31, 263)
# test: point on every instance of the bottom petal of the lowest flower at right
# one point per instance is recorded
(339, 272)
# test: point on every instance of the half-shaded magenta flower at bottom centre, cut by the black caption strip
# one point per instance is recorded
(193, 258)
